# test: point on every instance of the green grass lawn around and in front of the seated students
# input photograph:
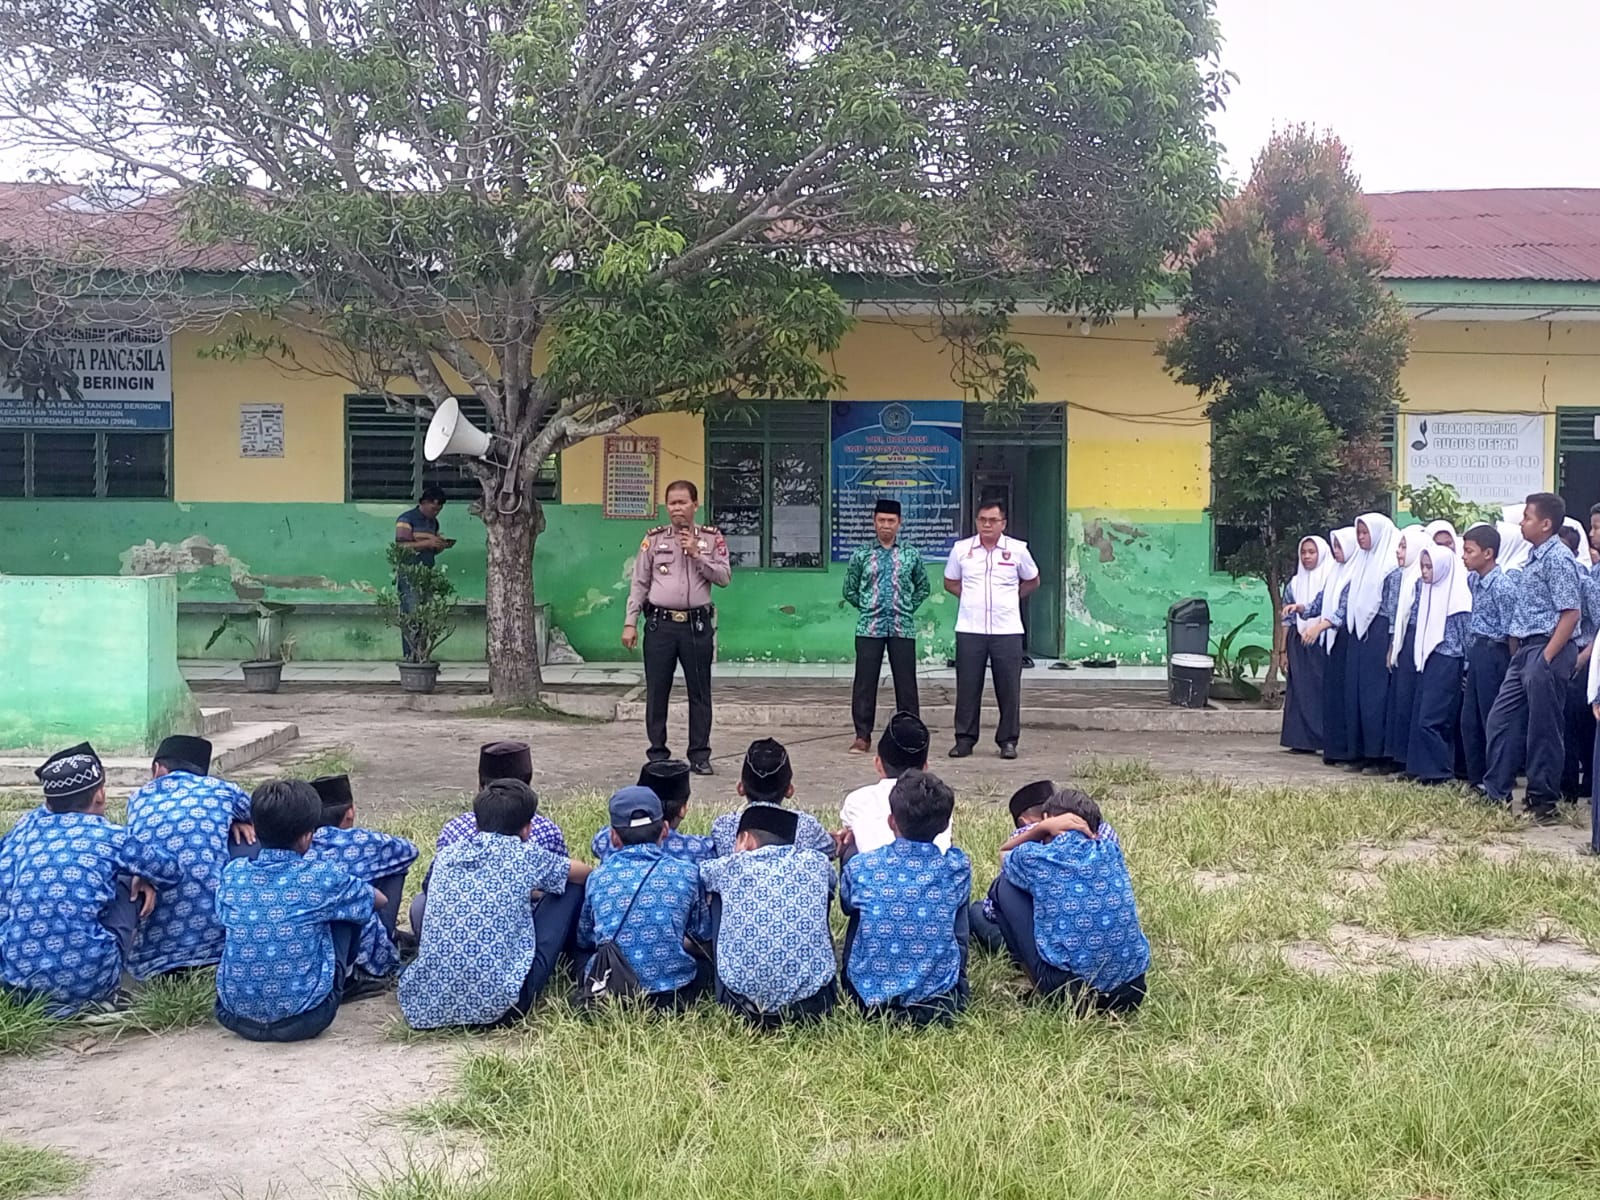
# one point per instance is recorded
(1241, 1078)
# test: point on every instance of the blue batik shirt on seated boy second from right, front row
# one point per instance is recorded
(911, 938)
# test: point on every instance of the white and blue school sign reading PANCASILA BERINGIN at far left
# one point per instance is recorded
(126, 378)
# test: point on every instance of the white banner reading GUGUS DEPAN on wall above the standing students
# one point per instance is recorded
(1487, 458)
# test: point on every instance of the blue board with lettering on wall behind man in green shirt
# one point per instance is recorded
(906, 450)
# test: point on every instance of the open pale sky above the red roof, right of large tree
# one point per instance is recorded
(1425, 94)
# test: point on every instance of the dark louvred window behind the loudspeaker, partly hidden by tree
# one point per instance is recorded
(385, 455)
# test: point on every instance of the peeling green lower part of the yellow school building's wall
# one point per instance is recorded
(1122, 572)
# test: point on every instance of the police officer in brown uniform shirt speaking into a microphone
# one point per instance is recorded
(678, 564)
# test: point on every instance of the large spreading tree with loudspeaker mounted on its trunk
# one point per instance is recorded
(583, 212)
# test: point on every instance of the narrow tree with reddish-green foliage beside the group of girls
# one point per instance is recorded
(1292, 335)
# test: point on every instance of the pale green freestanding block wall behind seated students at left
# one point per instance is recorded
(90, 660)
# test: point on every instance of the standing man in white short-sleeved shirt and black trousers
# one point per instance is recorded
(990, 575)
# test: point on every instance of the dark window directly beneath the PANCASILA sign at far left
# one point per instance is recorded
(86, 465)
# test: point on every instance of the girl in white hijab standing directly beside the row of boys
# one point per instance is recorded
(1442, 620)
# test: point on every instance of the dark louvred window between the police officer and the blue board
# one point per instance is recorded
(767, 482)
